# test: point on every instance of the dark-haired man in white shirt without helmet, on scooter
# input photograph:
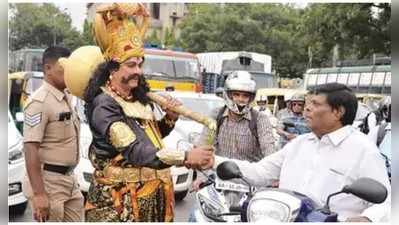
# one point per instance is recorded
(334, 154)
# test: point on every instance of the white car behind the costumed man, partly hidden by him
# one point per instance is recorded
(182, 177)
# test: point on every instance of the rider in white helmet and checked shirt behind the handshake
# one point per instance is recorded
(242, 132)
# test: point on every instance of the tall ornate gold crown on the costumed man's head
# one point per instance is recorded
(117, 30)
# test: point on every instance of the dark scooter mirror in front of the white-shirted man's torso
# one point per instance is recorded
(367, 189)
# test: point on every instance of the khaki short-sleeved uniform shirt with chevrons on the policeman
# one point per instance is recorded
(50, 120)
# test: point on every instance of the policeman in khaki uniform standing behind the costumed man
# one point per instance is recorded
(51, 131)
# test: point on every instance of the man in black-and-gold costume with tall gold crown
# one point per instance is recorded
(132, 180)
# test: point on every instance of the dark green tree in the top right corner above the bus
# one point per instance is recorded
(353, 28)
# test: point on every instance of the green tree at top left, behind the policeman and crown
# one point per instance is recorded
(35, 25)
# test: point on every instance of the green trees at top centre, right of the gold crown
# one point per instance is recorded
(264, 28)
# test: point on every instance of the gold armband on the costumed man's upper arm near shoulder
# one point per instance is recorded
(121, 135)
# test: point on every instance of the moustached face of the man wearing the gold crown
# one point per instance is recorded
(129, 72)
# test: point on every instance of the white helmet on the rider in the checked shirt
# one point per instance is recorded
(239, 81)
